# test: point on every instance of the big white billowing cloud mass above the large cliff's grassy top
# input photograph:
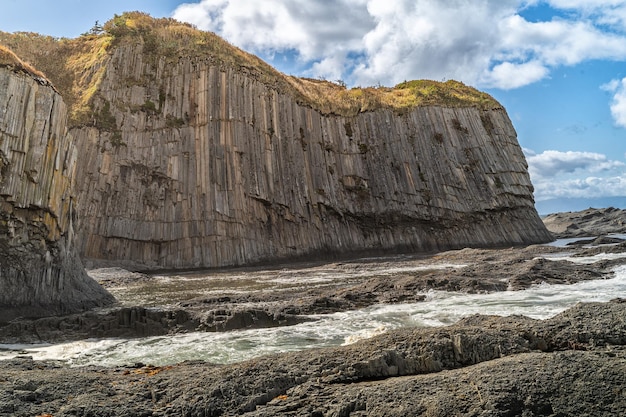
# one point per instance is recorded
(486, 43)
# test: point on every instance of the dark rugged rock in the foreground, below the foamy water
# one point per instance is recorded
(572, 364)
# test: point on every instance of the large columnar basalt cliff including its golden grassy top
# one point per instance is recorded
(196, 154)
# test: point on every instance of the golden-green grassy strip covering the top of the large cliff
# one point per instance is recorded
(76, 67)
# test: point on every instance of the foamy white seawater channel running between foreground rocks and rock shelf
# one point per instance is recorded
(440, 308)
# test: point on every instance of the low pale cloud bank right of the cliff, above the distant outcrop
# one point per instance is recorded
(570, 174)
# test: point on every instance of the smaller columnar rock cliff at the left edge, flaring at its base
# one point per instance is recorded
(40, 271)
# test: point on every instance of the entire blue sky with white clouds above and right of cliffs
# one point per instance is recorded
(557, 66)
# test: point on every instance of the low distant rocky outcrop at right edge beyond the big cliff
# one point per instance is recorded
(586, 223)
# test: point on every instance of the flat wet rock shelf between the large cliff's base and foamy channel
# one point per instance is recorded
(358, 284)
